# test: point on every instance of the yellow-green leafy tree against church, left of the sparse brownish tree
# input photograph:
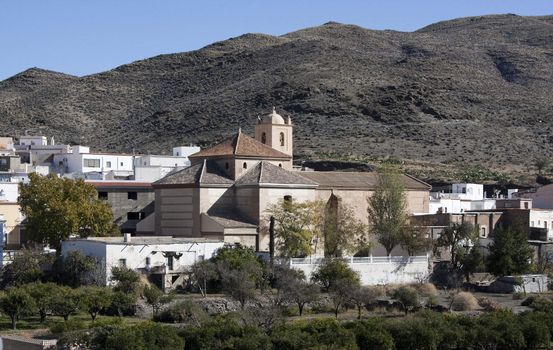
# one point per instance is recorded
(296, 224)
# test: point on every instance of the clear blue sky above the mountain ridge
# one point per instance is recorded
(81, 37)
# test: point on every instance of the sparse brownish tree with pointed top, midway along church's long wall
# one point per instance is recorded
(342, 232)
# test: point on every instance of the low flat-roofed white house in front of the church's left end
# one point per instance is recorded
(165, 259)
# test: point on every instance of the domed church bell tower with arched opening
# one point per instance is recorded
(272, 130)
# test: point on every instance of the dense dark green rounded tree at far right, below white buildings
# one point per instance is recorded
(510, 253)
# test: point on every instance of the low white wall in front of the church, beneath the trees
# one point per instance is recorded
(377, 270)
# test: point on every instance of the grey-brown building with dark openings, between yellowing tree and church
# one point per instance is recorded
(131, 201)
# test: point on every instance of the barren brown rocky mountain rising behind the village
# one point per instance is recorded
(467, 91)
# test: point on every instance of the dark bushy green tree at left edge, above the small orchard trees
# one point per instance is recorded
(25, 268)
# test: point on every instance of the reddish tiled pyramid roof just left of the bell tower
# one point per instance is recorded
(240, 145)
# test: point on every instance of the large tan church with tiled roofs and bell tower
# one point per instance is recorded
(226, 191)
